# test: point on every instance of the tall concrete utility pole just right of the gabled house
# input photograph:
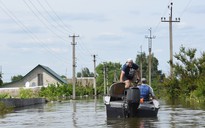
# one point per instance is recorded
(74, 63)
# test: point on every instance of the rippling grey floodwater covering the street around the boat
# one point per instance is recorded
(91, 113)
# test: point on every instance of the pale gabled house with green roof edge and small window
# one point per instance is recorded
(39, 76)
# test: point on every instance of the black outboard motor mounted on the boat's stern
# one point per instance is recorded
(133, 100)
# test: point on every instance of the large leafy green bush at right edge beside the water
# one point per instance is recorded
(189, 72)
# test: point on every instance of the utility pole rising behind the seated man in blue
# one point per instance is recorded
(150, 37)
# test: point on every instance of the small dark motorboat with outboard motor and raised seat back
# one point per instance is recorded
(125, 103)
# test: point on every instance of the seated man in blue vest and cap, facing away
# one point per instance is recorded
(146, 91)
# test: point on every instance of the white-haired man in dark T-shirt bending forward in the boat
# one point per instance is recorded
(129, 73)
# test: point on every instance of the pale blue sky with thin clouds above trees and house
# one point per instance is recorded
(36, 32)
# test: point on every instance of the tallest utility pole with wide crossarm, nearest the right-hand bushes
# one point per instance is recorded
(163, 19)
